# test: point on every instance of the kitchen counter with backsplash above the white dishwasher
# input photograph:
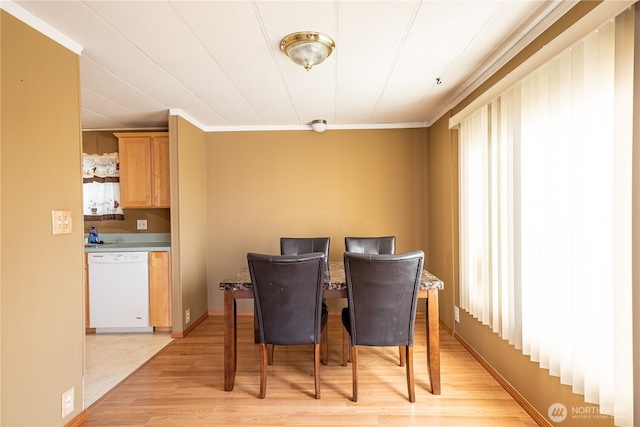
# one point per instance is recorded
(131, 242)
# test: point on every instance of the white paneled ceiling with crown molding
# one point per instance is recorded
(219, 64)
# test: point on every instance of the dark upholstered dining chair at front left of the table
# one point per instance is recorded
(287, 292)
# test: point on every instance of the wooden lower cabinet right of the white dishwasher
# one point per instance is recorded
(160, 290)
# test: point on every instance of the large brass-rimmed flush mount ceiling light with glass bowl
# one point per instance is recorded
(307, 48)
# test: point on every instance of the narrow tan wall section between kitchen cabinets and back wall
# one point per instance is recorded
(188, 221)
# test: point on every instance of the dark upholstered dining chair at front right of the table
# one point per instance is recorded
(382, 291)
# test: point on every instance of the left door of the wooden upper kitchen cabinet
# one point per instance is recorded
(135, 171)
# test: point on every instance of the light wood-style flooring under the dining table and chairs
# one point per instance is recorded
(183, 386)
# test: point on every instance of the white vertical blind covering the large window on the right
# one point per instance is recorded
(545, 217)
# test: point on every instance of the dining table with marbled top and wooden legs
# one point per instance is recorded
(239, 286)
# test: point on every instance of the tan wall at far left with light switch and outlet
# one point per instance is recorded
(42, 336)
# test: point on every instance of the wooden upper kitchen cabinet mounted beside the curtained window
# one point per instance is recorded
(144, 169)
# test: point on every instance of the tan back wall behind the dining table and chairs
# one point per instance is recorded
(265, 185)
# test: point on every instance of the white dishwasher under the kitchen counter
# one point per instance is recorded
(119, 291)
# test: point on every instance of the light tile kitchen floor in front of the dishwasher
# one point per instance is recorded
(110, 358)
